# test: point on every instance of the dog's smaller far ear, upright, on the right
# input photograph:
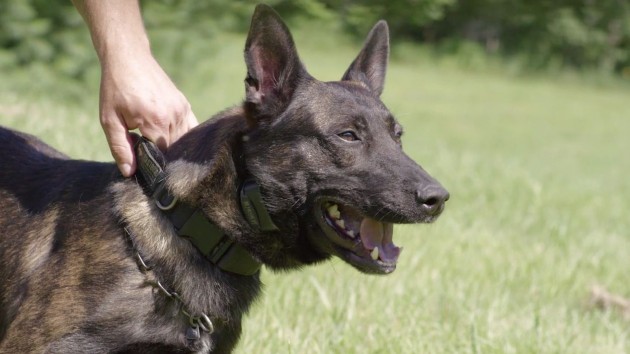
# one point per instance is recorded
(370, 65)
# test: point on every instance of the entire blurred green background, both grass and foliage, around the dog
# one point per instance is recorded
(520, 108)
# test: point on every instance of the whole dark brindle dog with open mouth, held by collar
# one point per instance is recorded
(168, 262)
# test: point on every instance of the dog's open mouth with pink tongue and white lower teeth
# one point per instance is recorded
(359, 240)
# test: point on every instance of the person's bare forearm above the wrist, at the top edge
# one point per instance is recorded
(116, 27)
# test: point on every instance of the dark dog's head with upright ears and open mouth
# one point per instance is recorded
(328, 155)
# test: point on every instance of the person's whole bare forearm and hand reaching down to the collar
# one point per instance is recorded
(135, 92)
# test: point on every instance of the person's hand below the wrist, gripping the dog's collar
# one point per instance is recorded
(137, 94)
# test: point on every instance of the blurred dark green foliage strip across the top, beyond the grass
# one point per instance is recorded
(561, 33)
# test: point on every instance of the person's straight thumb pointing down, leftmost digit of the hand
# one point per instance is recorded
(120, 144)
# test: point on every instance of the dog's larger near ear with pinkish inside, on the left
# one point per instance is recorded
(273, 65)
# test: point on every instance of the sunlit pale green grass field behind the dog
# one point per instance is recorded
(538, 173)
